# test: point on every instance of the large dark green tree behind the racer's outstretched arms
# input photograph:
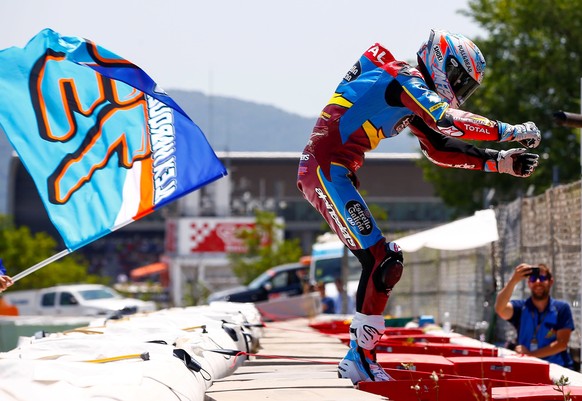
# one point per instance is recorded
(534, 64)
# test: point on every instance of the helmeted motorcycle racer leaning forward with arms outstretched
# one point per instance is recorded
(377, 99)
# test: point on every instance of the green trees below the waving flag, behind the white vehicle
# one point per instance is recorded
(20, 249)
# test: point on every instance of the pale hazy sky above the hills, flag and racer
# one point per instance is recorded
(290, 55)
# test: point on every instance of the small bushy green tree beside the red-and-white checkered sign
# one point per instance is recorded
(264, 249)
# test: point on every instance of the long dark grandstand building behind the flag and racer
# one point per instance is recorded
(264, 180)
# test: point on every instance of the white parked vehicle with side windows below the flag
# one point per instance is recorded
(75, 300)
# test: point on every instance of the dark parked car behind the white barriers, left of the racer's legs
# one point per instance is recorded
(280, 281)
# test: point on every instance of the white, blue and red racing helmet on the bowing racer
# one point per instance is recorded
(455, 65)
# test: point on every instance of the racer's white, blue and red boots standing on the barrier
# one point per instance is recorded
(360, 362)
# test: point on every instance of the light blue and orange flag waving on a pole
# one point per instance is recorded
(103, 143)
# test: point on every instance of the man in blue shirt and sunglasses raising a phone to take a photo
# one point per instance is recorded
(544, 324)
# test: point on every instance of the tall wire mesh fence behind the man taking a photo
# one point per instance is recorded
(538, 229)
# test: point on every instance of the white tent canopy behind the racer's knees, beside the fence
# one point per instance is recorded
(470, 232)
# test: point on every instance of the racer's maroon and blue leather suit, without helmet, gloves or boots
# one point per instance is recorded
(377, 99)
